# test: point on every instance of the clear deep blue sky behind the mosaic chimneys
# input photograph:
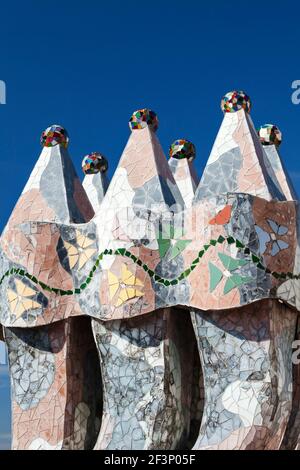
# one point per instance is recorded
(88, 65)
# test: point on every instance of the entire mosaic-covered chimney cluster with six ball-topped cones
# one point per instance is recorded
(156, 311)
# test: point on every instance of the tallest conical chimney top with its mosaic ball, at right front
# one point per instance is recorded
(236, 163)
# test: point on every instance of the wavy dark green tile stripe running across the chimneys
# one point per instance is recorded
(166, 282)
